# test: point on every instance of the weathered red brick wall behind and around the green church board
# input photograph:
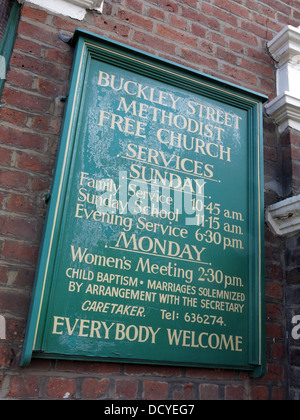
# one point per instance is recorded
(223, 38)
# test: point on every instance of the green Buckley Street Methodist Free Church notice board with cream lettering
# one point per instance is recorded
(153, 244)
